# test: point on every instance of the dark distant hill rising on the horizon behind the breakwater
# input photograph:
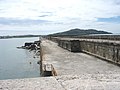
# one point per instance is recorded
(76, 32)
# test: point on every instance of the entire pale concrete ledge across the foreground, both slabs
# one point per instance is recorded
(65, 82)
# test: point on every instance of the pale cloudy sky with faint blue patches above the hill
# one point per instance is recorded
(50, 16)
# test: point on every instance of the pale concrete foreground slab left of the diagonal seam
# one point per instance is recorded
(48, 83)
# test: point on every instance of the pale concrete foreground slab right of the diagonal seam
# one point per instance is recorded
(90, 82)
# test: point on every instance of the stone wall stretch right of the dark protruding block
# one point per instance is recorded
(108, 51)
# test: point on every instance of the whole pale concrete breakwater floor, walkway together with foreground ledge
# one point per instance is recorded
(75, 71)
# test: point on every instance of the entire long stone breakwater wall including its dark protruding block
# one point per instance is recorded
(108, 50)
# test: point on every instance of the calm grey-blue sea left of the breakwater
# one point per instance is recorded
(15, 63)
